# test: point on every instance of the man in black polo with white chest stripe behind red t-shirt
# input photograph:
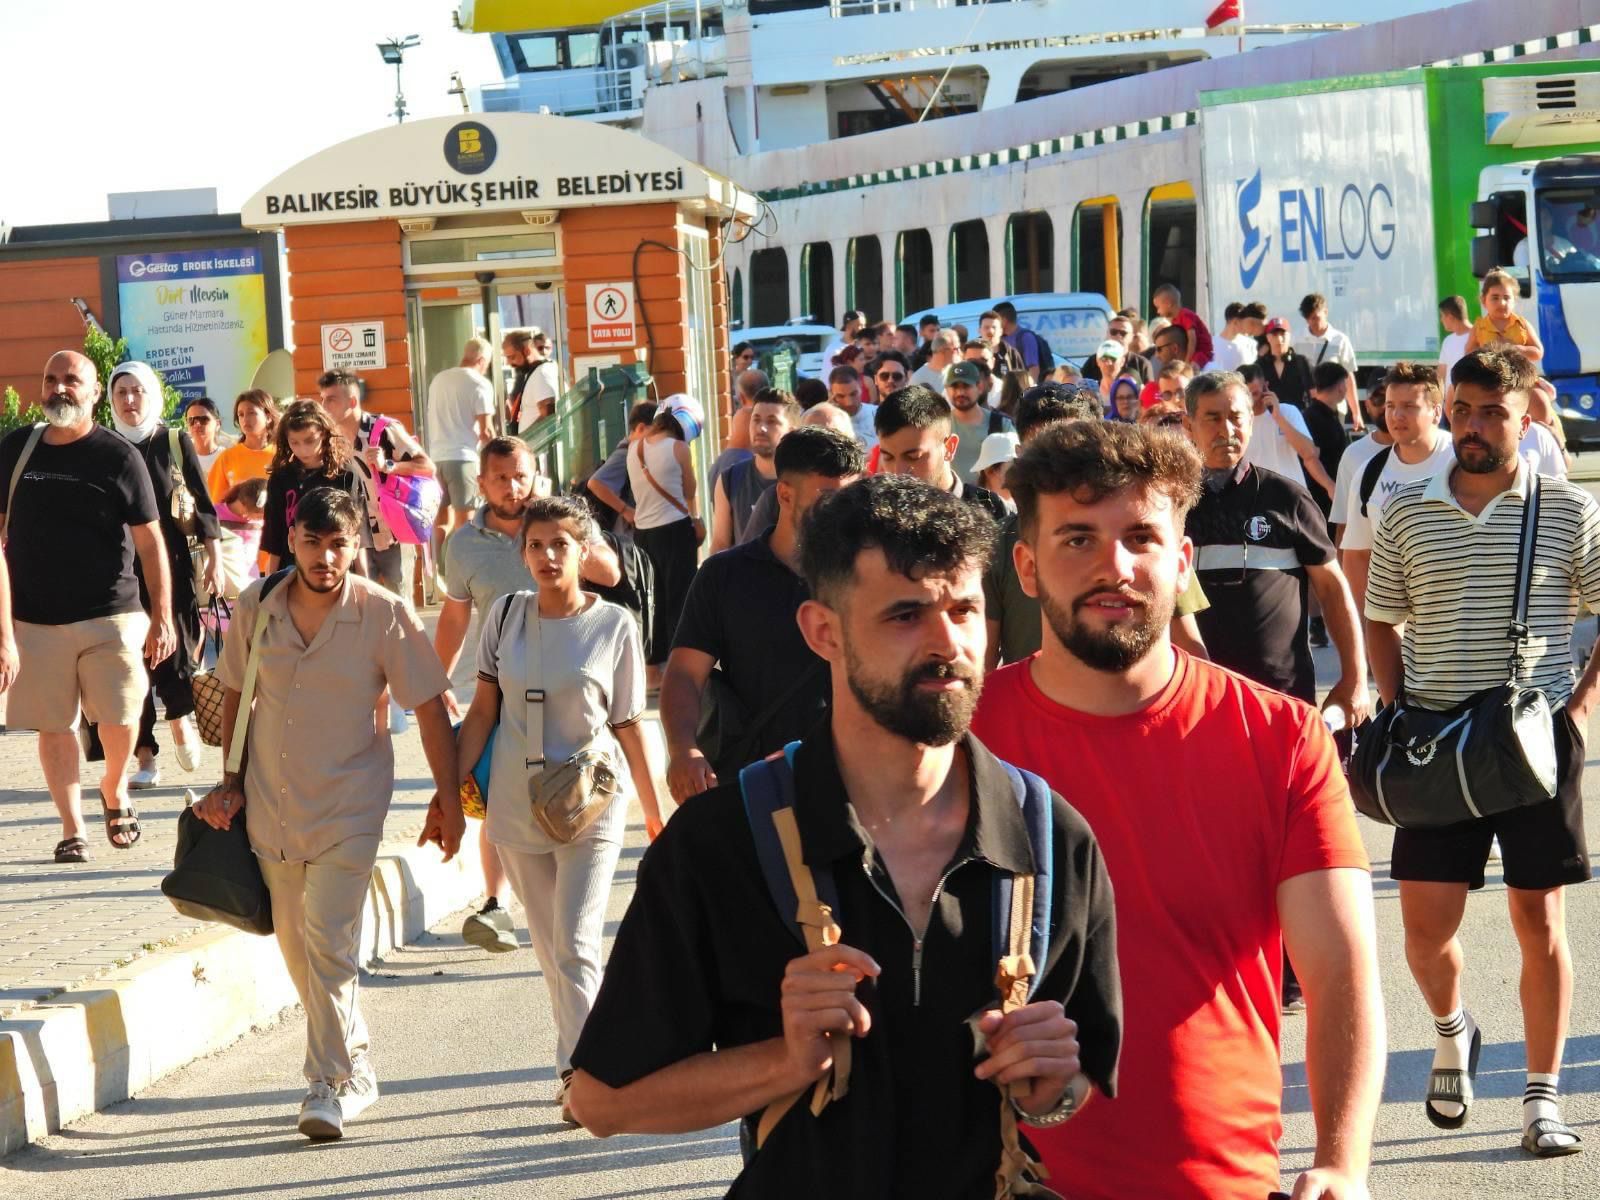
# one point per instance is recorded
(1262, 546)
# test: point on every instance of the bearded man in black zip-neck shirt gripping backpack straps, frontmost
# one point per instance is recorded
(914, 818)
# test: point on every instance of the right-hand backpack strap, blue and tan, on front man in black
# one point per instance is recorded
(1022, 922)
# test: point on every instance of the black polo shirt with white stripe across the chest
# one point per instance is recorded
(1255, 535)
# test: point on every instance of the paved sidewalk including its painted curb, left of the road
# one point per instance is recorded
(105, 988)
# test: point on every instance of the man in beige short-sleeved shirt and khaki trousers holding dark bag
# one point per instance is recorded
(319, 775)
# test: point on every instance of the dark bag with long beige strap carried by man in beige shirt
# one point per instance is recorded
(215, 874)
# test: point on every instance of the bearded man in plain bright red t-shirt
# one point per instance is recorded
(1226, 828)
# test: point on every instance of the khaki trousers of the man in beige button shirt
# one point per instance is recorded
(318, 918)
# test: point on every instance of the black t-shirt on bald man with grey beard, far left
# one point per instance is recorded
(70, 548)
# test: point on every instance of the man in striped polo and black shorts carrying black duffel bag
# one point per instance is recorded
(1470, 751)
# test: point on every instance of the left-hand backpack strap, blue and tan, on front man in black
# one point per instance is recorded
(809, 894)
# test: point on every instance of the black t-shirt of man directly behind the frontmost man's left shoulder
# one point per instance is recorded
(742, 610)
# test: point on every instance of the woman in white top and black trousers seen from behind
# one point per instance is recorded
(666, 514)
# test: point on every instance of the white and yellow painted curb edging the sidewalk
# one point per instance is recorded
(103, 1044)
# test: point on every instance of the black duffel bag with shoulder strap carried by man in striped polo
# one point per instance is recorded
(1418, 769)
